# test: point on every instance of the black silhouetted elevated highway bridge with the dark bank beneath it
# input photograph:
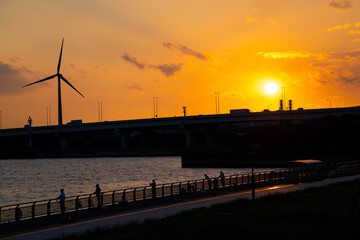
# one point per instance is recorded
(228, 140)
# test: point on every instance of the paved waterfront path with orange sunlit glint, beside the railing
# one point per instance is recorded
(167, 210)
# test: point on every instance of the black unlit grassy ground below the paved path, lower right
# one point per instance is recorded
(317, 213)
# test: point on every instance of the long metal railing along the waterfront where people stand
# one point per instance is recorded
(47, 207)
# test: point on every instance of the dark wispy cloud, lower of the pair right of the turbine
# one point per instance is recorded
(167, 69)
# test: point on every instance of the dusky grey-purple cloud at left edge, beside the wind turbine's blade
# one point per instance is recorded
(12, 78)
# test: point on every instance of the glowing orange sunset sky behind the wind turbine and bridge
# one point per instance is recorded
(124, 53)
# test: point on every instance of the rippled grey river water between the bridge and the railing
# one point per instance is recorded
(36, 179)
